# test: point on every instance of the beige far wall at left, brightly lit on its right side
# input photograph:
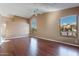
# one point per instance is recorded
(17, 27)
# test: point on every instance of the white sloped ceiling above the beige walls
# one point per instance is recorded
(27, 9)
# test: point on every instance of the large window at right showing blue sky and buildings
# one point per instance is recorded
(68, 26)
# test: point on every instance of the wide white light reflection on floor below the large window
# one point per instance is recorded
(64, 51)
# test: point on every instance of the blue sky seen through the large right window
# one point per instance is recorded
(68, 20)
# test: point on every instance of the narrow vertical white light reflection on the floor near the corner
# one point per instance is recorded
(33, 46)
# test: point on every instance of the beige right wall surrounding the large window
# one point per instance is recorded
(48, 25)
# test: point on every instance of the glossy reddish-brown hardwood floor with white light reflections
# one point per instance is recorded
(36, 47)
